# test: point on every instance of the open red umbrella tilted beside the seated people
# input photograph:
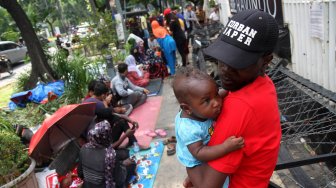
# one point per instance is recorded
(67, 123)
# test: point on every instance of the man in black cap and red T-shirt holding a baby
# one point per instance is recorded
(250, 110)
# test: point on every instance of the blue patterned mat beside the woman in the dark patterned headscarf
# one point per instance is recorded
(148, 162)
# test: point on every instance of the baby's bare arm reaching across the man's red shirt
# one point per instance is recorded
(207, 153)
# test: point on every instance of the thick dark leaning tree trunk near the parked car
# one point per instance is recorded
(39, 62)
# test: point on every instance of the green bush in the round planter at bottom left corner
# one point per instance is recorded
(13, 159)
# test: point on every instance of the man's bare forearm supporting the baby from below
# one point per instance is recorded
(204, 176)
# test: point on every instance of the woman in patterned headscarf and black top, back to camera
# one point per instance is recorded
(99, 165)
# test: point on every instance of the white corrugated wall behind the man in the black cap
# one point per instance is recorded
(312, 58)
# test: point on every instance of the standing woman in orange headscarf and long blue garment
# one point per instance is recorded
(167, 43)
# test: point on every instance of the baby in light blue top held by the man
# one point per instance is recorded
(201, 103)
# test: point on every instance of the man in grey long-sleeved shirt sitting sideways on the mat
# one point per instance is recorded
(123, 88)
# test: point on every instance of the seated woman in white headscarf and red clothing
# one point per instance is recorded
(136, 75)
